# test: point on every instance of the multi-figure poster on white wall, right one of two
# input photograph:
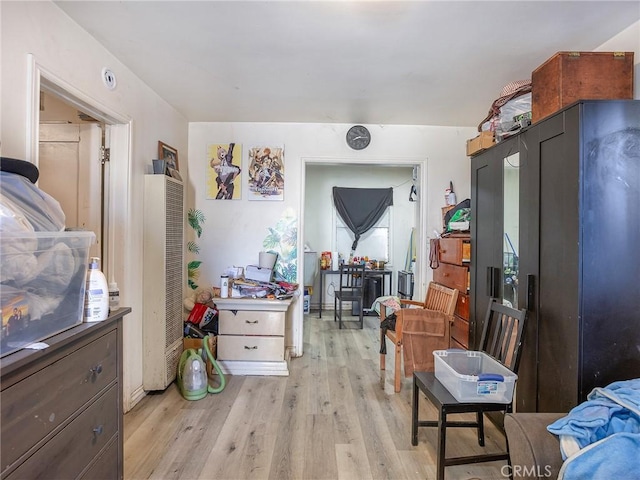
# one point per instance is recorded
(266, 173)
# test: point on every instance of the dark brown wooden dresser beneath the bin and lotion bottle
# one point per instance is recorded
(62, 406)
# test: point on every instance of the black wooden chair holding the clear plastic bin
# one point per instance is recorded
(502, 335)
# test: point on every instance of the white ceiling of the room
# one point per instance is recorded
(395, 62)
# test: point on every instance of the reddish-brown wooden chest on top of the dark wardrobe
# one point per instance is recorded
(570, 76)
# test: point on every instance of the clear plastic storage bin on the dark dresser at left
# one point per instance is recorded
(42, 285)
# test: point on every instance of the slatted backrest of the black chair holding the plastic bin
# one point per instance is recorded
(502, 334)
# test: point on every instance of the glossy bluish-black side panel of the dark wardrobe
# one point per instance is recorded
(610, 244)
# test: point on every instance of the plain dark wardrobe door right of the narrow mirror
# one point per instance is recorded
(558, 318)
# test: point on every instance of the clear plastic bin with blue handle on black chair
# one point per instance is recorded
(473, 376)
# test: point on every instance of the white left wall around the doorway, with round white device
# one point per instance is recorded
(62, 48)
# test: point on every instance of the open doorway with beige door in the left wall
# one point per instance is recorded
(81, 174)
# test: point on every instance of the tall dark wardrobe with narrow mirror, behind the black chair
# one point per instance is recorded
(555, 229)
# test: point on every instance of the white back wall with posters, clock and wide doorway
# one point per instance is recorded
(234, 229)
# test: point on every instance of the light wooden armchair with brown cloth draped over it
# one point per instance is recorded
(435, 315)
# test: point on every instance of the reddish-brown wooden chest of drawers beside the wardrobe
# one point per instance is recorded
(453, 272)
